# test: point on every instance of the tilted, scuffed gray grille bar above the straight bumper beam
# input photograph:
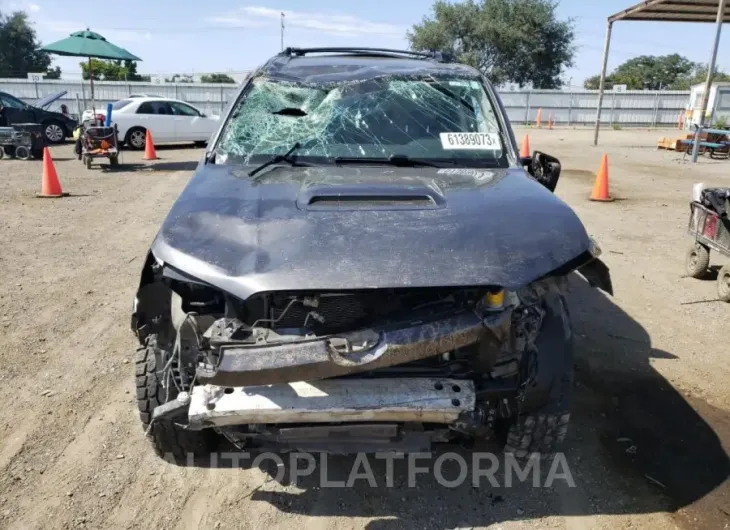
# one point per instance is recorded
(340, 355)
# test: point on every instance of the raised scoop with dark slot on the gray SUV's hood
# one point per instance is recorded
(341, 197)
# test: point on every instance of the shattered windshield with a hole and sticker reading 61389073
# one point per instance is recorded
(430, 118)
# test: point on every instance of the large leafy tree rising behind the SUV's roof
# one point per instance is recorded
(517, 41)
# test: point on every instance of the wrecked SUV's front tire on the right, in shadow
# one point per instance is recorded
(540, 429)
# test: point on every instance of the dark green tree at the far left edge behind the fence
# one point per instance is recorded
(19, 48)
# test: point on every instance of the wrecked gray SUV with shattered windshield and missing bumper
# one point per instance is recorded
(362, 262)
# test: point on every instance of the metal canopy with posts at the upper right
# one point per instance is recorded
(669, 11)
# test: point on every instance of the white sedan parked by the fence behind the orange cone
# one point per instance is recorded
(169, 120)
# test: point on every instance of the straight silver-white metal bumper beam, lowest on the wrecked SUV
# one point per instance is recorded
(401, 400)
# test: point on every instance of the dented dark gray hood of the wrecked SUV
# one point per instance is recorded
(343, 228)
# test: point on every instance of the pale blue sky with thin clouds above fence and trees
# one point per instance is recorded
(176, 36)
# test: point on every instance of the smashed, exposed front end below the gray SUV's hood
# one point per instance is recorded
(375, 370)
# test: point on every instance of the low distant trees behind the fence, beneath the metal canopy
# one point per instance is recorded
(648, 72)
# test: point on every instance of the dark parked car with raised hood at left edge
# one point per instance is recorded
(56, 126)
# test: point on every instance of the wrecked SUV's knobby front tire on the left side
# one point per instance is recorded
(167, 439)
